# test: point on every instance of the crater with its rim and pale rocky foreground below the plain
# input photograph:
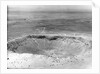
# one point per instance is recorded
(48, 51)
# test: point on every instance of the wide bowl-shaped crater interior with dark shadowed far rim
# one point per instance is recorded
(53, 46)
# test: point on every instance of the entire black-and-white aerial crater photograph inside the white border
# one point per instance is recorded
(49, 37)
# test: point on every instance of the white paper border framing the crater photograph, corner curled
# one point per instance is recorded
(95, 38)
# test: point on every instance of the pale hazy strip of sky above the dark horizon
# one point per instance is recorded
(53, 8)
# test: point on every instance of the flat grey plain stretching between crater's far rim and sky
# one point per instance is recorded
(23, 23)
